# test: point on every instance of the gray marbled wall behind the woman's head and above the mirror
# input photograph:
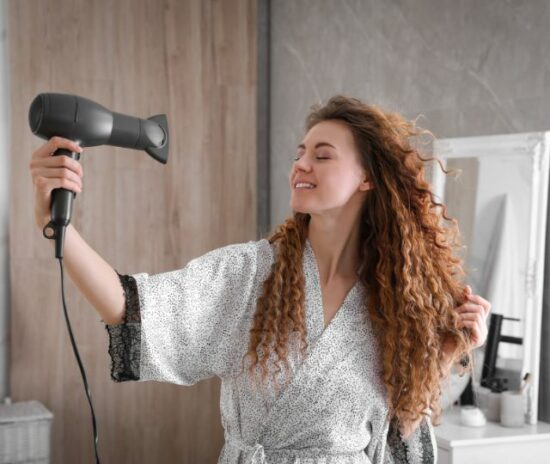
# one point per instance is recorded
(470, 67)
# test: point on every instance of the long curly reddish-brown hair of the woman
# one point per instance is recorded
(409, 266)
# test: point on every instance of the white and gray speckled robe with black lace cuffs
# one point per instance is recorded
(193, 323)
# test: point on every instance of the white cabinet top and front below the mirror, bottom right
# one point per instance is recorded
(492, 443)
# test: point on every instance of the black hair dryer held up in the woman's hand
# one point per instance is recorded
(90, 124)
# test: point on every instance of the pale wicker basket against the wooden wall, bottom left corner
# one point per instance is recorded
(25, 433)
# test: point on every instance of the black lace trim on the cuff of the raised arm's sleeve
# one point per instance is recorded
(125, 338)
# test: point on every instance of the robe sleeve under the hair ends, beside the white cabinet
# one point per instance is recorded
(390, 447)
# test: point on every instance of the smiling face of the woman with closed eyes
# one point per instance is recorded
(327, 158)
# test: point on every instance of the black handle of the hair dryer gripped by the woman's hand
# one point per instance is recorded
(61, 209)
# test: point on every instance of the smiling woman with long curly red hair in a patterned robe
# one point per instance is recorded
(358, 296)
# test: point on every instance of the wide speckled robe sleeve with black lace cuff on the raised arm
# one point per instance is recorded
(187, 325)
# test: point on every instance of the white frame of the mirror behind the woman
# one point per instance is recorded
(536, 146)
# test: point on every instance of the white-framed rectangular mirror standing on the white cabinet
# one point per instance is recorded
(500, 201)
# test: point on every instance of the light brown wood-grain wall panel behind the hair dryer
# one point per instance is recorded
(195, 61)
